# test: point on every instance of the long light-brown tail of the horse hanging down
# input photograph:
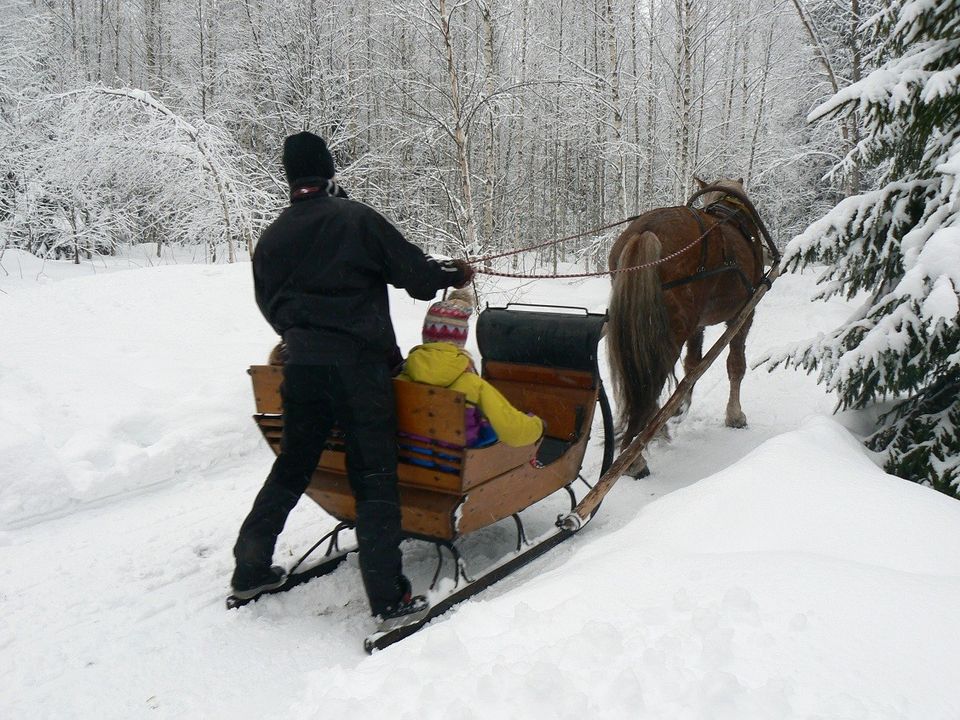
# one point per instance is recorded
(639, 342)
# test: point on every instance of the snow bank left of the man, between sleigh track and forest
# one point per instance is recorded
(121, 381)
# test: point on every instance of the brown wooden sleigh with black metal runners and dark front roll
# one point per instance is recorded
(545, 362)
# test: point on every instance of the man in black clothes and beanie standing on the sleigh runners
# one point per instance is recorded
(320, 273)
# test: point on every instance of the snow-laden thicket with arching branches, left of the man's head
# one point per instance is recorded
(110, 166)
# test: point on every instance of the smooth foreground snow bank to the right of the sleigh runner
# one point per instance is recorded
(800, 582)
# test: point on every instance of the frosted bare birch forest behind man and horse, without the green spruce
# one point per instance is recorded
(475, 125)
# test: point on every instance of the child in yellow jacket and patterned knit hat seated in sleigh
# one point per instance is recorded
(442, 361)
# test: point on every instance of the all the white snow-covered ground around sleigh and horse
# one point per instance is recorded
(772, 572)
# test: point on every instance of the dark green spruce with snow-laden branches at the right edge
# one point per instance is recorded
(901, 244)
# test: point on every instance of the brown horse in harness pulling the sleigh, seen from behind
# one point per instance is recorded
(654, 310)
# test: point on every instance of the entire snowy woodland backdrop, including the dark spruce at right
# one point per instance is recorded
(485, 126)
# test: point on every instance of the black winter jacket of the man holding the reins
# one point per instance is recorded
(320, 274)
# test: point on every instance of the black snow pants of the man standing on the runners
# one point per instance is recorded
(360, 399)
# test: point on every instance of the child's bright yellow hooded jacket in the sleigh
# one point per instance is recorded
(446, 365)
